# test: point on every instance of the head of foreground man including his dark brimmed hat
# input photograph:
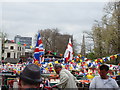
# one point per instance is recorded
(30, 77)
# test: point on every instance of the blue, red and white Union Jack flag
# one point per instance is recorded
(39, 50)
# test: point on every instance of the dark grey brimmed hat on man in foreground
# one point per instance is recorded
(31, 73)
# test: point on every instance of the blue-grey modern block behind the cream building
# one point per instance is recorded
(26, 41)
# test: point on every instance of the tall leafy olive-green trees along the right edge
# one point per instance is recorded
(106, 33)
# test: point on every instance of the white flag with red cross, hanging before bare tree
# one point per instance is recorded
(68, 55)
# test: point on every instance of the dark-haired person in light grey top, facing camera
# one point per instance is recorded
(103, 81)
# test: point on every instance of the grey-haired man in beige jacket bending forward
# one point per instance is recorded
(67, 80)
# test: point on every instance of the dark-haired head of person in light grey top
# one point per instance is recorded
(103, 71)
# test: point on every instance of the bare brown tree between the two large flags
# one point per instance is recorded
(55, 41)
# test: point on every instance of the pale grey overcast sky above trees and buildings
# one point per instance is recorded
(26, 18)
